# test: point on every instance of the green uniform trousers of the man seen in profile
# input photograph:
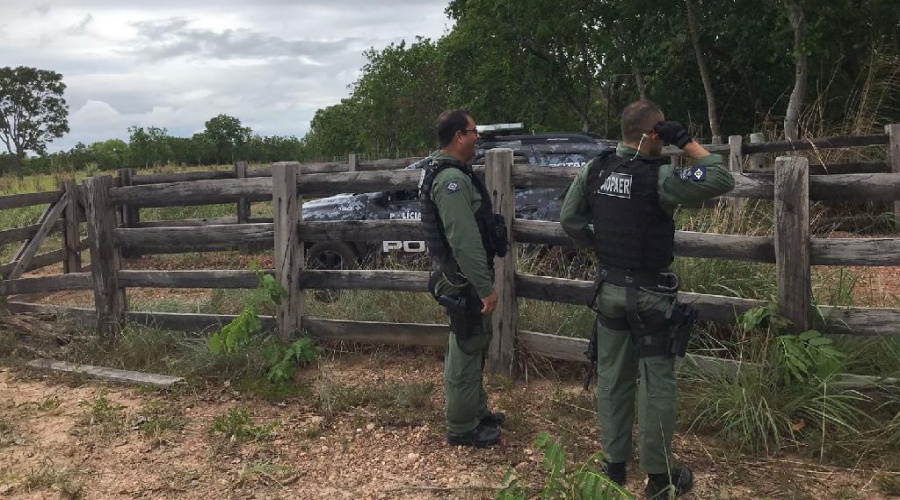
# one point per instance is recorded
(463, 385)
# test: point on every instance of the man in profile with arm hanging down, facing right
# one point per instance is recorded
(461, 236)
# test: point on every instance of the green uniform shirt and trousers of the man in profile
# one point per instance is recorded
(457, 200)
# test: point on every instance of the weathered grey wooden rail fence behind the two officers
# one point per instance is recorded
(792, 248)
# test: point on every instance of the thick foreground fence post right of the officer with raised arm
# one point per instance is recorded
(792, 243)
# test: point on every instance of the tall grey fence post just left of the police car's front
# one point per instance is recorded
(289, 252)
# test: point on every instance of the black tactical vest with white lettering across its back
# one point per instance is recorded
(631, 229)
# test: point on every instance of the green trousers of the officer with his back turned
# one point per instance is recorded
(618, 367)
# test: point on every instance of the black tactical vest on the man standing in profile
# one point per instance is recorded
(435, 239)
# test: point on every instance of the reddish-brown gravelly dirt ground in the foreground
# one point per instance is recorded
(50, 447)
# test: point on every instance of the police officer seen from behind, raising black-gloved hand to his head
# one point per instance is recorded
(629, 196)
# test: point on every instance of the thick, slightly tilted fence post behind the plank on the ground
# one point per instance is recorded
(108, 297)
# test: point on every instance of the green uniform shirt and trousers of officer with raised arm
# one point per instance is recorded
(618, 366)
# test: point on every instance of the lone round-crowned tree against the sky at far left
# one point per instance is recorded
(32, 110)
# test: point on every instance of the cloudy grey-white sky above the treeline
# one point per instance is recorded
(177, 63)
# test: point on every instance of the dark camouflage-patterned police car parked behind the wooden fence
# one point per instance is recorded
(550, 150)
